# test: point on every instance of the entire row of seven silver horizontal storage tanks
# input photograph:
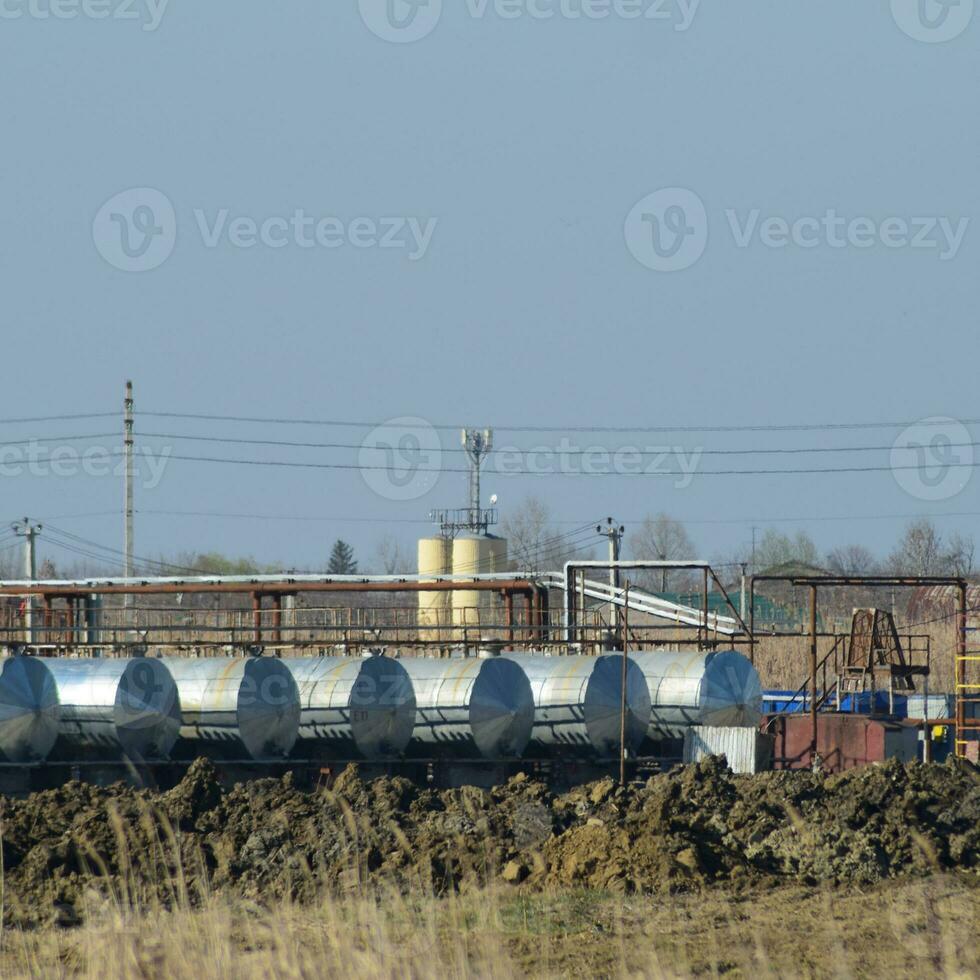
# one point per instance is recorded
(374, 708)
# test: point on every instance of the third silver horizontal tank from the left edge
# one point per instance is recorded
(237, 708)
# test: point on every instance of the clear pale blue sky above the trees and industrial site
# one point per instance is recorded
(714, 227)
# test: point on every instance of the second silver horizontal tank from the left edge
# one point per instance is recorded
(116, 707)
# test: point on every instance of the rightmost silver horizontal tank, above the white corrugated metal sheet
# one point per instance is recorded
(720, 689)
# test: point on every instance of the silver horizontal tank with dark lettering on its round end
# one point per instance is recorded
(354, 706)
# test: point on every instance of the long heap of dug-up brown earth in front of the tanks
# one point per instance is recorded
(688, 829)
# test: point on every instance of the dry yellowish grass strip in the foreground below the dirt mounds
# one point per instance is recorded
(926, 928)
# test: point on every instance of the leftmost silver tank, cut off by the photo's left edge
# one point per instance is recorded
(28, 710)
